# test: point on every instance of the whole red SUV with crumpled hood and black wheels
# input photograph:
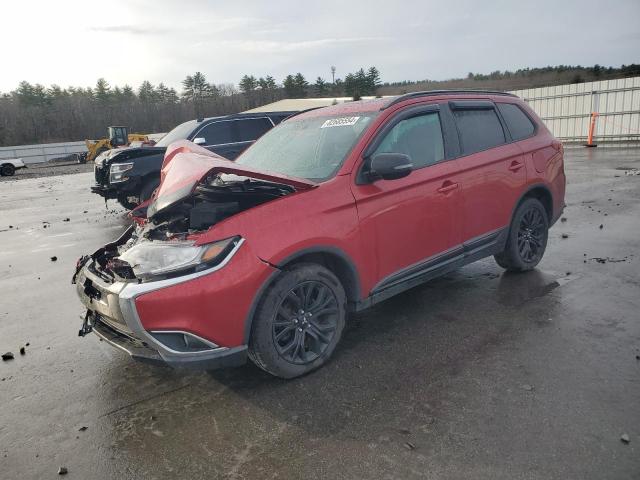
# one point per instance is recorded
(334, 210)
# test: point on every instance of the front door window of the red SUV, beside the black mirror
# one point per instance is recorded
(419, 137)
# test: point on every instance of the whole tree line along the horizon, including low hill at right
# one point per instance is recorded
(33, 113)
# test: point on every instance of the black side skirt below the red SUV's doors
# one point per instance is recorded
(433, 267)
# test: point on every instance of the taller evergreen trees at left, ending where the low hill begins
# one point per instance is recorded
(33, 113)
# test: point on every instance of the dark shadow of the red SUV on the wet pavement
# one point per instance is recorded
(406, 348)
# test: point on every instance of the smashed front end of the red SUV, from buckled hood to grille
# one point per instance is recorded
(161, 250)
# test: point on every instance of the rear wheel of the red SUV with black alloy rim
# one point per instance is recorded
(527, 240)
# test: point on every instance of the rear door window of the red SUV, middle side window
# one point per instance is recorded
(479, 129)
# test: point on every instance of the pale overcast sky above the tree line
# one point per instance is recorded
(74, 42)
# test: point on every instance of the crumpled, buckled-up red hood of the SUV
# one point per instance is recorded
(187, 164)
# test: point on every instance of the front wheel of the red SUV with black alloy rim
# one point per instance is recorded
(298, 322)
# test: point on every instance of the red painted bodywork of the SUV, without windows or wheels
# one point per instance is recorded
(381, 227)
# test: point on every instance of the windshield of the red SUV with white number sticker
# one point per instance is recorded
(311, 148)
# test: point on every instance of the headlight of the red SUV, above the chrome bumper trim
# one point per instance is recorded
(162, 259)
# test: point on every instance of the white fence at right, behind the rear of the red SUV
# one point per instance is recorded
(566, 109)
